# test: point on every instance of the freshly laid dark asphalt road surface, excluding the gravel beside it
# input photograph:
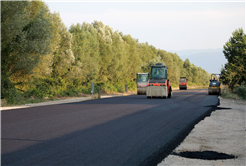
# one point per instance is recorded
(127, 130)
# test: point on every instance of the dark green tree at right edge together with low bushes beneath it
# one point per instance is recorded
(234, 72)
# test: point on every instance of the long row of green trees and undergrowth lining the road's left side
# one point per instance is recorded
(41, 57)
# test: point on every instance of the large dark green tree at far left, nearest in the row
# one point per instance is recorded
(24, 38)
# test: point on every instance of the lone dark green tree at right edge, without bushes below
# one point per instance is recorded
(234, 72)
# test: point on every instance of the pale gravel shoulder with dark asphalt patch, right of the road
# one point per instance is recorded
(216, 140)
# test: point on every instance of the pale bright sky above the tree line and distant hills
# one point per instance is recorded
(168, 25)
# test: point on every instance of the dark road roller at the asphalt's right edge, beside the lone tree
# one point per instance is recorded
(214, 85)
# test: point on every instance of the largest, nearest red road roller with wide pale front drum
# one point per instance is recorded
(159, 85)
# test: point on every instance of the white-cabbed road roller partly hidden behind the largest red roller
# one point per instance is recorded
(142, 82)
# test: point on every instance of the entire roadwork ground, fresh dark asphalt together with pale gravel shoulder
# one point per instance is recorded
(170, 134)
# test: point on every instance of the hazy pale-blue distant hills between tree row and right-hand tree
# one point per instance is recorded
(208, 59)
